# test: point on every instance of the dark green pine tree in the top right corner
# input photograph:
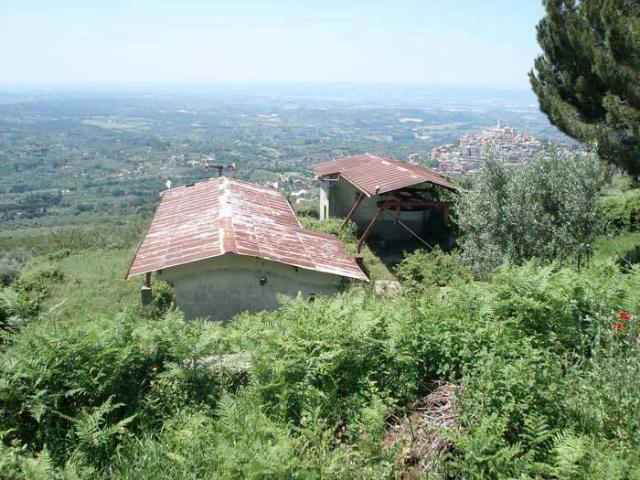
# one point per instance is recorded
(588, 78)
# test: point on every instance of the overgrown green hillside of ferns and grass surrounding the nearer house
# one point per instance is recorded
(531, 372)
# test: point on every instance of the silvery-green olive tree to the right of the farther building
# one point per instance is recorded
(546, 209)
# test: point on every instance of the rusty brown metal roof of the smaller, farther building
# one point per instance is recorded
(373, 174)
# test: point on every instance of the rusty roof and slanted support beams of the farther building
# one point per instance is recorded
(394, 186)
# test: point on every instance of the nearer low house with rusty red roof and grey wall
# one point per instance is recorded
(229, 246)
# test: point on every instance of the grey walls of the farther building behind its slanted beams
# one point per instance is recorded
(341, 197)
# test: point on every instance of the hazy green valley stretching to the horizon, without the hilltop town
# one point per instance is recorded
(69, 156)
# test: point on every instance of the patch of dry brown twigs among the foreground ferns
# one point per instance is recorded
(418, 438)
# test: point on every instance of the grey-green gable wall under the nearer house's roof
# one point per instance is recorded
(222, 286)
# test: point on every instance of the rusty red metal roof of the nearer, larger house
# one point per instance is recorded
(224, 215)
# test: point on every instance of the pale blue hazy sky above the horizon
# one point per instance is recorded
(489, 43)
